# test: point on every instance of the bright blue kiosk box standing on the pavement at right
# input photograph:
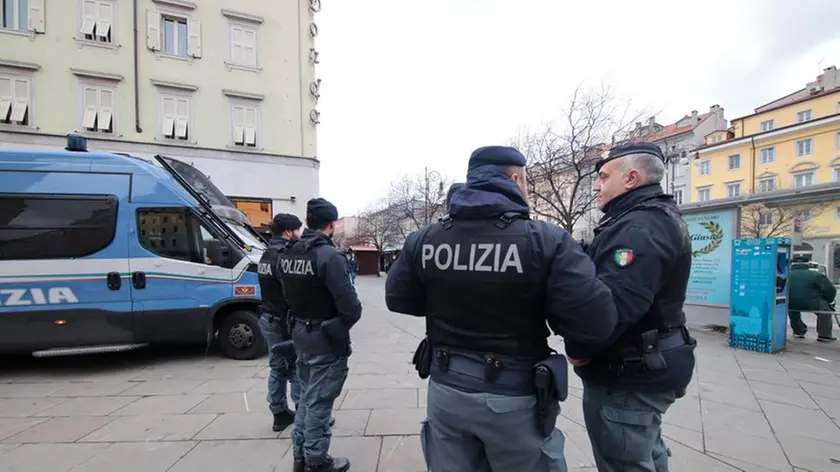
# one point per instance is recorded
(758, 306)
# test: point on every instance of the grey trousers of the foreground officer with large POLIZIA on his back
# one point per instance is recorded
(483, 432)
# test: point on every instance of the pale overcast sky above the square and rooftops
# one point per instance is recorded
(414, 83)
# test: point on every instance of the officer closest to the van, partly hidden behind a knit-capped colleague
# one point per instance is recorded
(285, 228)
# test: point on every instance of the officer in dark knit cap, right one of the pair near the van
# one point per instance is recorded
(323, 307)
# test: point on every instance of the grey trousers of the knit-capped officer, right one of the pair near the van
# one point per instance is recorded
(321, 378)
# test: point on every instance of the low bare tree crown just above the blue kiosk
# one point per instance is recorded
(762, 221)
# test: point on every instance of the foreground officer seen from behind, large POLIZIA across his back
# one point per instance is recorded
(487, 279)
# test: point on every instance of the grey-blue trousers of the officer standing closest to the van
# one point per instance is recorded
(282, 369)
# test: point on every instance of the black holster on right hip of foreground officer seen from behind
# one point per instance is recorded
(551, 379)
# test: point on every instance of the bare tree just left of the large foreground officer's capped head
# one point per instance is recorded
(417, 201)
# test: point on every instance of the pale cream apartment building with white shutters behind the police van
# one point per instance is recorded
(229, 87)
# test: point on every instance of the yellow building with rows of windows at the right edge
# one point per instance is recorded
(790, 147)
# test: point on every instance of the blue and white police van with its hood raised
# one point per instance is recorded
(105, 252)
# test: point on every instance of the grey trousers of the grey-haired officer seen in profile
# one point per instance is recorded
(625, 428)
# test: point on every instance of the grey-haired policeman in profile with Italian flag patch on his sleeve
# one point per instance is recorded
(642, 251)
